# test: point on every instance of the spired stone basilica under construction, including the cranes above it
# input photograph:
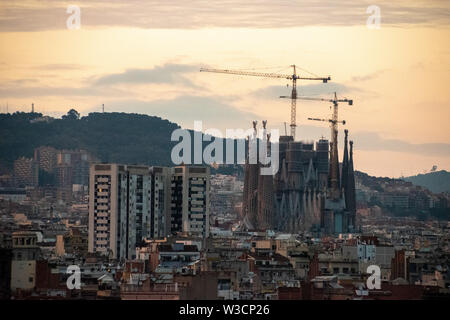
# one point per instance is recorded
(312, 190)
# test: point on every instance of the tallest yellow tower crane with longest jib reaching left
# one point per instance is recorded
(294, 77)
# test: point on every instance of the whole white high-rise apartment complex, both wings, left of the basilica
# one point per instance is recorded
(128, 203)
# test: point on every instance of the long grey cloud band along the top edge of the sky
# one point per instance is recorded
(36, 15)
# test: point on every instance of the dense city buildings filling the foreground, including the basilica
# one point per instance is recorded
(182, 232)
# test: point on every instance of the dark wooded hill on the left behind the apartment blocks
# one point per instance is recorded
(111, 137)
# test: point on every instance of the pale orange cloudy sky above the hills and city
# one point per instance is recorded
(140, 56)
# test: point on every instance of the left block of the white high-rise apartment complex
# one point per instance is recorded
(119, 208)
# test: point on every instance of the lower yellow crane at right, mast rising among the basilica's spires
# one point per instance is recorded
(334, 132)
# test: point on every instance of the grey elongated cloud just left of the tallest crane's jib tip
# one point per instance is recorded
(168, 73)
